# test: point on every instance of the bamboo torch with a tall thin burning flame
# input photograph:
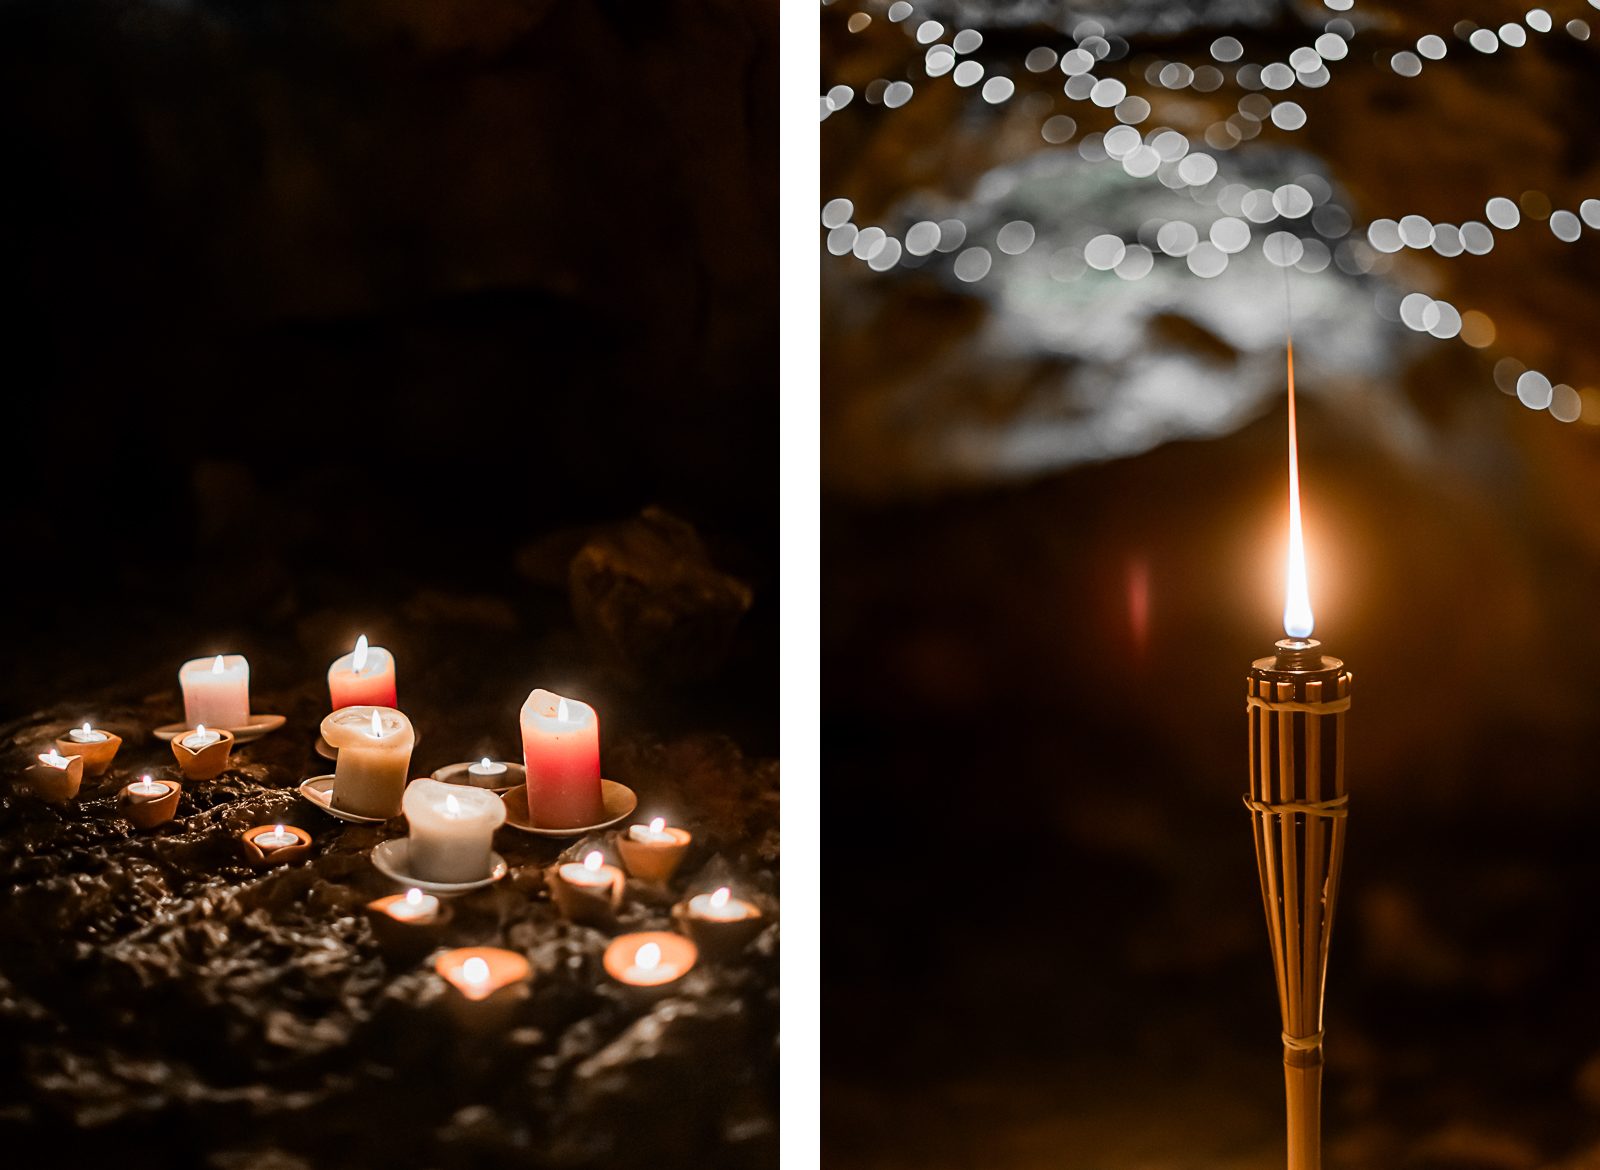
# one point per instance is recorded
(1298, 702)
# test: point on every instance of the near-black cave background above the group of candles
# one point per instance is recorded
(322, 307)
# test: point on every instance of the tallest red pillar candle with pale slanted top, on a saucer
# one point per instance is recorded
(561, 748)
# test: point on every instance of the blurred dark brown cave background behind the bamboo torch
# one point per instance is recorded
(1046, 942)
